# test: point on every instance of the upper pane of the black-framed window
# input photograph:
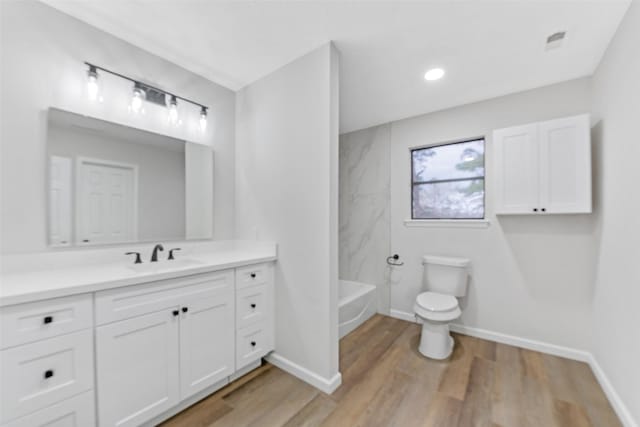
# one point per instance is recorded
(452, 161)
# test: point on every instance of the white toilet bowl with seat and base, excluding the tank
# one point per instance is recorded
(436, 311)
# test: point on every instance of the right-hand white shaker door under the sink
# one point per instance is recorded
(207, 336)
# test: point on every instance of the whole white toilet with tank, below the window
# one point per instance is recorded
(445, 280)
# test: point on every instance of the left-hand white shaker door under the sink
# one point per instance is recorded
(137, 368)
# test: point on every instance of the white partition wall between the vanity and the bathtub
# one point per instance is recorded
(286, 181)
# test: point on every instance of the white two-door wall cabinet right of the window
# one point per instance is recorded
(544, 168)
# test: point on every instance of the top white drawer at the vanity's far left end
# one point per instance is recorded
(30, 322)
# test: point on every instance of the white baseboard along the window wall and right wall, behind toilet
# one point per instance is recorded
(567, 352)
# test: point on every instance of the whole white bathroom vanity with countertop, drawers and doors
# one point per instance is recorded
(128, 345)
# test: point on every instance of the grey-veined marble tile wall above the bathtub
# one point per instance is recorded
(364, 208)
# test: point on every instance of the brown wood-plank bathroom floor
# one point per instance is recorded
(386, 382)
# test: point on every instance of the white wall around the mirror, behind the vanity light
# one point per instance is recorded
(41, 60)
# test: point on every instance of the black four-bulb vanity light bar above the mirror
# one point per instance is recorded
(144, 92)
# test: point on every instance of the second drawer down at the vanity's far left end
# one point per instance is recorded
(39, 374)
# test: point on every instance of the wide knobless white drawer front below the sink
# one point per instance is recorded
(120, 304)
